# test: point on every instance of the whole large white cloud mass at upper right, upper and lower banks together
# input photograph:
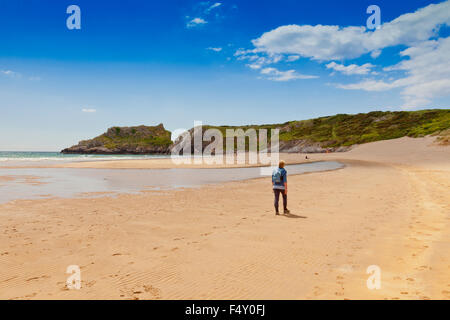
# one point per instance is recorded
(422, 76)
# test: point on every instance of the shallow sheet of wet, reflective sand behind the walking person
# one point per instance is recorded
(76, 182)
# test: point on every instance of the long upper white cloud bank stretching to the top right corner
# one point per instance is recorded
(324, 42)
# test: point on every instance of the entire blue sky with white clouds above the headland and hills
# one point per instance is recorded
(221, 62)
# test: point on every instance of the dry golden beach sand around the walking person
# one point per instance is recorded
(389, 207)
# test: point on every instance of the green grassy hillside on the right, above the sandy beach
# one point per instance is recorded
(347, 130)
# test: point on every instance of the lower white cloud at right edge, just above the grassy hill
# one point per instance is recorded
(427, 74)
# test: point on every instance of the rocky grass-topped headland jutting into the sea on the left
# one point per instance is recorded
(126, 140)
